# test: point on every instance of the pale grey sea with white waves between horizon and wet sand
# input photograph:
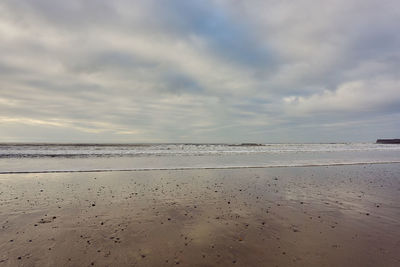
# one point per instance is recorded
(26, 158)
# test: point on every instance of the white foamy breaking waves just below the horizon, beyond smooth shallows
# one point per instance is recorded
(119, 150)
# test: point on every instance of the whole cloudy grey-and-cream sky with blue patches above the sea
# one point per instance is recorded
(199, 70)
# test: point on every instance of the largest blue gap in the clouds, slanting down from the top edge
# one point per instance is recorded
(230, 39)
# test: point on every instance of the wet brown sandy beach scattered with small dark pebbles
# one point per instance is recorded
(299, 216)
